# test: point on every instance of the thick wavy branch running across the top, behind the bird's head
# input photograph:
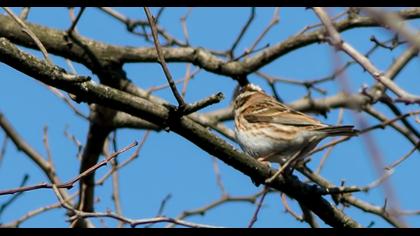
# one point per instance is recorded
(57, 42)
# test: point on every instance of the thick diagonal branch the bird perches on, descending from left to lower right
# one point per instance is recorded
(184, 126)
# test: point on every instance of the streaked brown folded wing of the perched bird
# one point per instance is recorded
(278, 113)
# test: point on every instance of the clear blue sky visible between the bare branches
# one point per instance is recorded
(170, 164)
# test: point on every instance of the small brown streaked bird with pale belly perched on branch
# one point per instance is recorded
(272, 132)
